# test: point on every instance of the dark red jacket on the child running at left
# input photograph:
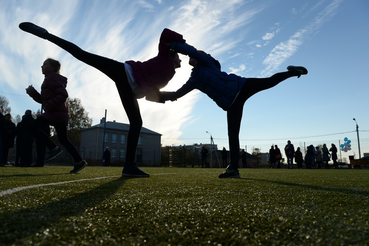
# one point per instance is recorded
(53, 99)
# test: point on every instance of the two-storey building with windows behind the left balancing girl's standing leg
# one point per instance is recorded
(115, 137)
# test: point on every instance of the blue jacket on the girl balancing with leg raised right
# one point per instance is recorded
(223, 88)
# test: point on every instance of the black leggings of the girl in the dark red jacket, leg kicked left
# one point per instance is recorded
(114, 70)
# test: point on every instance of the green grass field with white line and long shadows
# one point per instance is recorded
(183, 206)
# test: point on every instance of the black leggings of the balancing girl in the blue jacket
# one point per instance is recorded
(234, 113)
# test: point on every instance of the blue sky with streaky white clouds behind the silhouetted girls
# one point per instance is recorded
(249, 38)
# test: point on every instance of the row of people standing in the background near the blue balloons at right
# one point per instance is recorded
(314, 158)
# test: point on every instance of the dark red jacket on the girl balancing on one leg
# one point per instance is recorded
(158, 71)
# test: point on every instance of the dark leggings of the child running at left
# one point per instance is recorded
(41, 123)
